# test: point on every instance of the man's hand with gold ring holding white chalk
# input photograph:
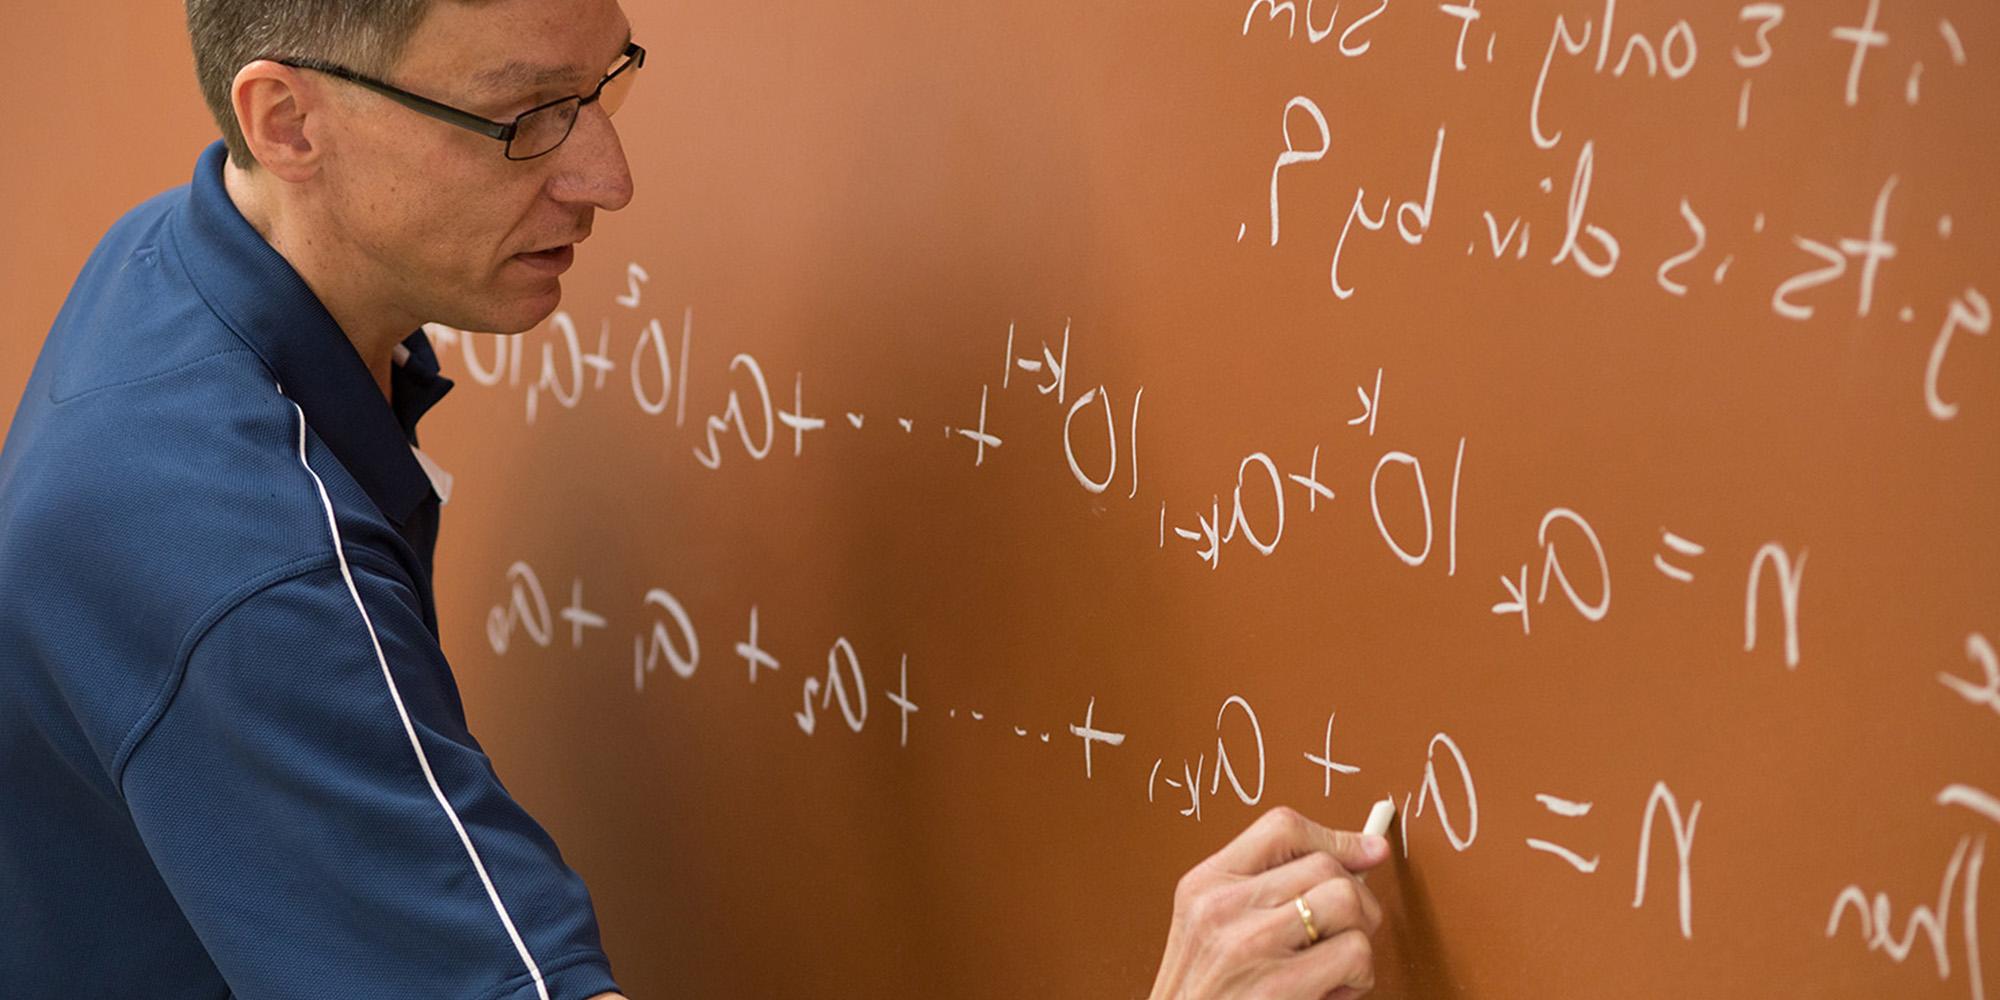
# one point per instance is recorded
(1241, 935)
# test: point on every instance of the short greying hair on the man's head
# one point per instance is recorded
(361, 35)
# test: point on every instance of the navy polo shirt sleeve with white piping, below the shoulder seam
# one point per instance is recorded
(331, 827)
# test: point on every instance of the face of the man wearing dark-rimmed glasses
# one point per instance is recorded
(435, 221)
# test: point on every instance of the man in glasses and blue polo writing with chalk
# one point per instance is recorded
(235, 755)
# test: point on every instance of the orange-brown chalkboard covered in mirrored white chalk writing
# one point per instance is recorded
(1007, 447)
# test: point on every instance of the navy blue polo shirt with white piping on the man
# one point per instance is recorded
(233, 759)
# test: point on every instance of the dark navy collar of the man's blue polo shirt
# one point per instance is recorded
(257, 293)
